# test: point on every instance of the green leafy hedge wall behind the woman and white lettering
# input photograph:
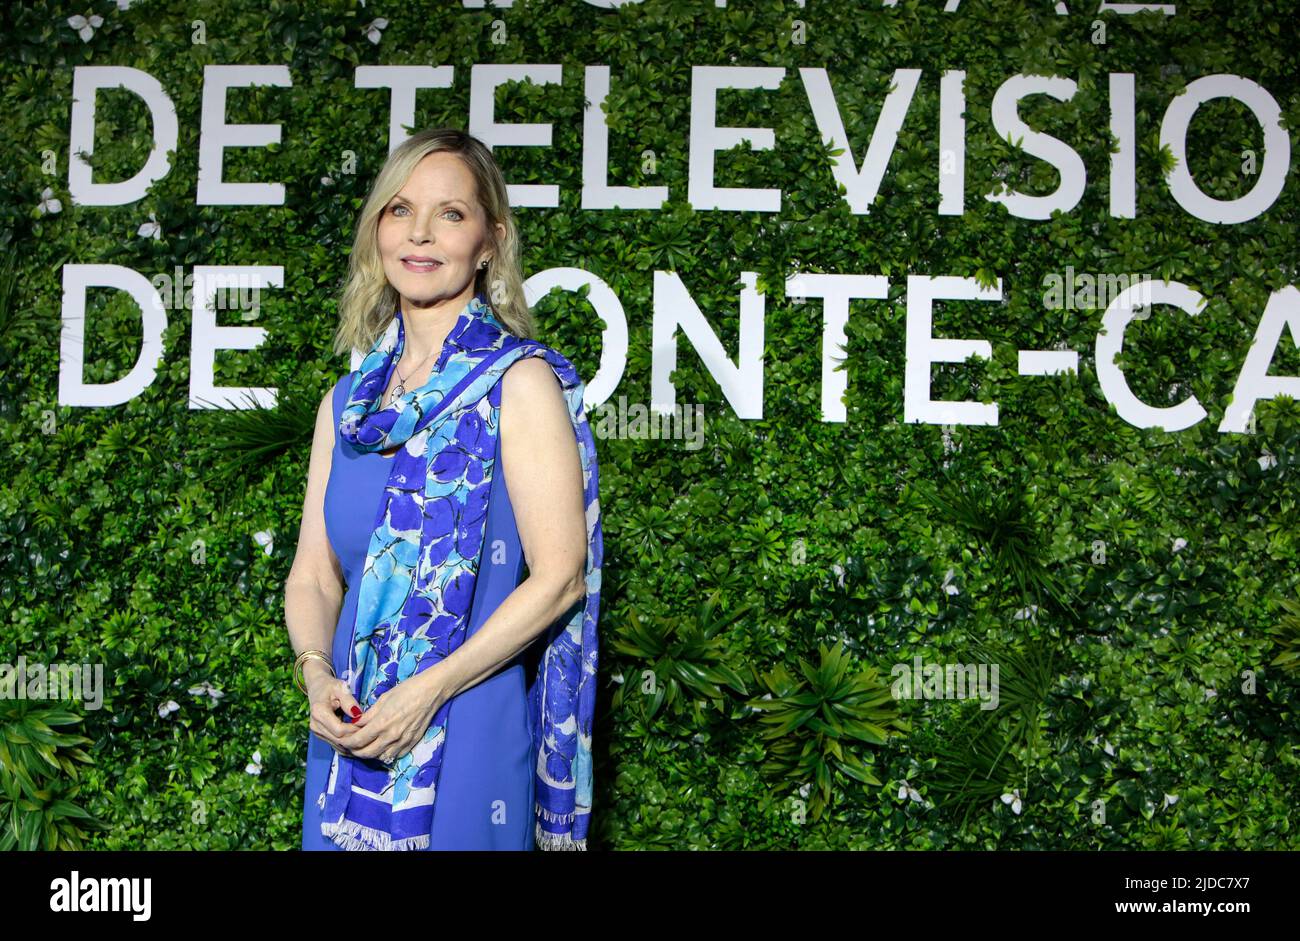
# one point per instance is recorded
(1137, 588)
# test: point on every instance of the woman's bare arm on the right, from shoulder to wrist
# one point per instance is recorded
(544, 475)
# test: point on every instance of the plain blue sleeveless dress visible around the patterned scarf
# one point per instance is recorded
(487, 783)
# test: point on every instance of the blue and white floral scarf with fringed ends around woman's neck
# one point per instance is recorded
(418, 586)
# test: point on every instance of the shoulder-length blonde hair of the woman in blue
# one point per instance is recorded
(369, 302)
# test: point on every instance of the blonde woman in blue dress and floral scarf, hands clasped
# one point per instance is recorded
(450, 703)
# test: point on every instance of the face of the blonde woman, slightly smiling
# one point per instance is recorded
(435, 216)
